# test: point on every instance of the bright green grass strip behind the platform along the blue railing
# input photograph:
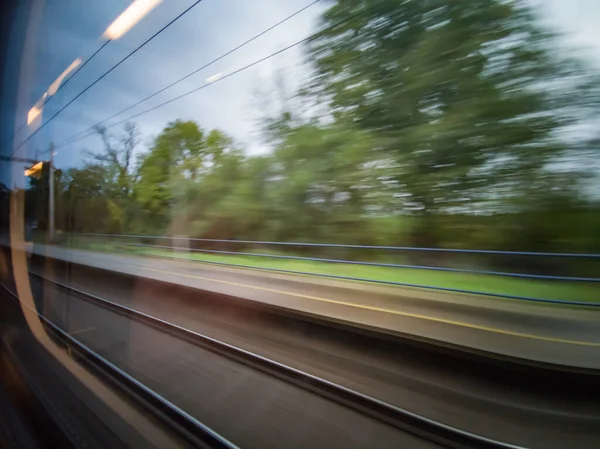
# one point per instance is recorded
(557, 290)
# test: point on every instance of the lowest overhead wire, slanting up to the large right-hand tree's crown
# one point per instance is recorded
(230, 74)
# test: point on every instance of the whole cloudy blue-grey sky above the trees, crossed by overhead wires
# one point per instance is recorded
(72, 28)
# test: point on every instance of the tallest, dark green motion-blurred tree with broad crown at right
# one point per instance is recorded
(466, 98)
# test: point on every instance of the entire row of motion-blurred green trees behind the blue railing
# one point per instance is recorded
(440, 123)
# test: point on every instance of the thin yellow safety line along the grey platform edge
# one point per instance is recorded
(378, 309)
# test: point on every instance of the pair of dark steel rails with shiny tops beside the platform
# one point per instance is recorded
(396, 417)
